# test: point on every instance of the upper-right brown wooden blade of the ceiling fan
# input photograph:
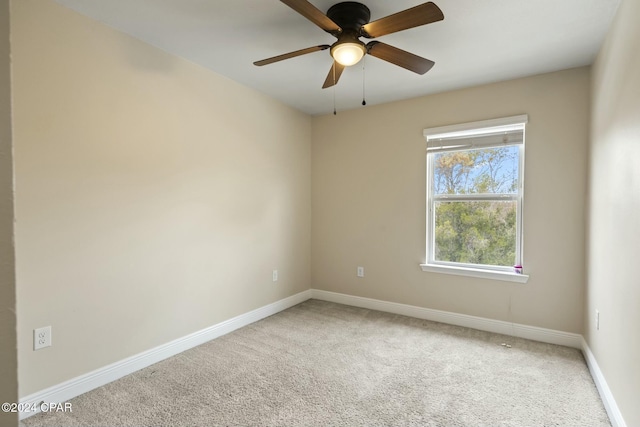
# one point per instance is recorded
(414, 17)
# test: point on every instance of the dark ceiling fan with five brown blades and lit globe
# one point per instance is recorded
(348, 21)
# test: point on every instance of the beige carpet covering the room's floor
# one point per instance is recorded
(325, 364)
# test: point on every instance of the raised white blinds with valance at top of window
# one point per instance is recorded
(484, 134)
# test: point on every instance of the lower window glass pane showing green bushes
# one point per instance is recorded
(476, 232)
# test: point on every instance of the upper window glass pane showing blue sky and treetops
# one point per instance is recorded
(486, 170)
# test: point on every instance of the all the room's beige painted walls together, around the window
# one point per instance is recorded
(154, 198)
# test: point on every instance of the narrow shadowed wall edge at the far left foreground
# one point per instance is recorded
(8, 350)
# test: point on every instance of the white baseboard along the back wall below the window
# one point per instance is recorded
(497, 326)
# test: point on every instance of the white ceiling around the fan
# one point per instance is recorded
(478, 42)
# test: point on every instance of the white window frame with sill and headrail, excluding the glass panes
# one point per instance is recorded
(486, 133)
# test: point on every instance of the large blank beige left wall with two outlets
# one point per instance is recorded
(153, 197)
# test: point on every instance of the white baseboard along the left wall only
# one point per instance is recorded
(87, 382)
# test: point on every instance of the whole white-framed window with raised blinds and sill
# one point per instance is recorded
(474, 198)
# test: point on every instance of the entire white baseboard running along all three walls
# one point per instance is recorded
(87, 382)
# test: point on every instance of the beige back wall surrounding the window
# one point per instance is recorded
(368, 201)
